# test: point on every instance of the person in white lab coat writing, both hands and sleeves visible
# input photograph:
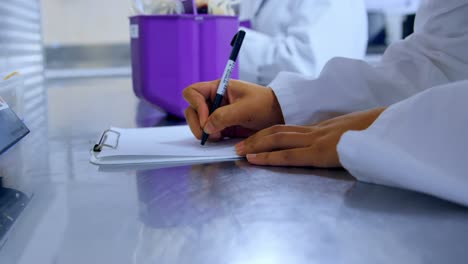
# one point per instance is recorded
(401, 123)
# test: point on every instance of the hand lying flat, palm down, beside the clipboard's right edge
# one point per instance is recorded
(304, 145)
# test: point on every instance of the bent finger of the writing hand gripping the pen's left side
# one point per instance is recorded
(197, 95)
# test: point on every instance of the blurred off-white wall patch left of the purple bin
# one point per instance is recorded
(79, 22)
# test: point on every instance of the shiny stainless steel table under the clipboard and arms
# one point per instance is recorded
(227, 212)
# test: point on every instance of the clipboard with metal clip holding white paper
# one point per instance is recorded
(157, 145)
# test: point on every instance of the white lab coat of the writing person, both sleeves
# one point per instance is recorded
(419, 143)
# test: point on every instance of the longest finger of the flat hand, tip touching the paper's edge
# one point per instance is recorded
(276, 141)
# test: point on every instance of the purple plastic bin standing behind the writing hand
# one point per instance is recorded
(171, 52)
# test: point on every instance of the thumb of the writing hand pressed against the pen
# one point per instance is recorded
(222, 118)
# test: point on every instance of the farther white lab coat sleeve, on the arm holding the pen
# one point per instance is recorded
(437, 53)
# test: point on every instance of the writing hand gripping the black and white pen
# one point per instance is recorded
(246, 109)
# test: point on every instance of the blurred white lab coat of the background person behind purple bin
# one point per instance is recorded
(299, 36)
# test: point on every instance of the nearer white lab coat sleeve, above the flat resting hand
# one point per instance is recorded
(418, 144)
